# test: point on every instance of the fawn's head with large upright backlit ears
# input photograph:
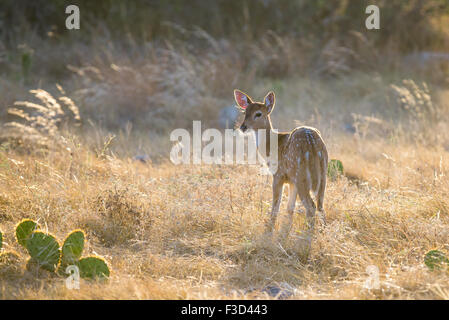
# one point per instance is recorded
(257, 114)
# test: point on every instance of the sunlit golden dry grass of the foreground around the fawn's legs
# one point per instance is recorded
(177, 232)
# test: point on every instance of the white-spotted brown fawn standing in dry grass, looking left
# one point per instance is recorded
(302, 160)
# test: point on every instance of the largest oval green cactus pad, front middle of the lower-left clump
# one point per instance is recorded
(44, 249)
